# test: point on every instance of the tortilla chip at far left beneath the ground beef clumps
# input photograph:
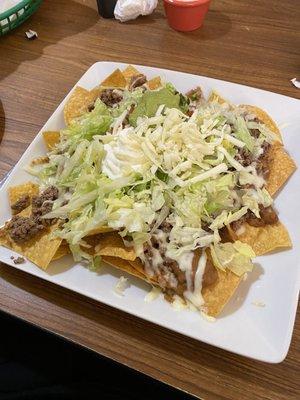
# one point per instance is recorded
(40, 250)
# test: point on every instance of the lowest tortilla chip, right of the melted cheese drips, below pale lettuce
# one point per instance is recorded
(216, 296)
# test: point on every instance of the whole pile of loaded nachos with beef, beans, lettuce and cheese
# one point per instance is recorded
(173, 188)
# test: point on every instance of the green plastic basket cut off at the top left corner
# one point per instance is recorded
(16, 15)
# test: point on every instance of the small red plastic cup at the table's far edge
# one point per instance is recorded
(186, 15)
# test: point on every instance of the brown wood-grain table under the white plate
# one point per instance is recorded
(255, 43)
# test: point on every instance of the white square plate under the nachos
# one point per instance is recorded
(263, 333)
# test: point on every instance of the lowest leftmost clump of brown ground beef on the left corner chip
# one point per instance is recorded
(21, 229)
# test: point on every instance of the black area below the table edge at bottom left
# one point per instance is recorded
(44, 366)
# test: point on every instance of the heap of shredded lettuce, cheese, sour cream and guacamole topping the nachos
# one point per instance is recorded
(160, 166)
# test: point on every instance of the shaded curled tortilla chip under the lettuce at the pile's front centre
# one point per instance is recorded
(111, 244)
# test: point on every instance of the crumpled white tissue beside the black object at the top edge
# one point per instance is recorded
(126, 10)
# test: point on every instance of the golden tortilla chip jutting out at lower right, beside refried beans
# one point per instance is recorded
(264, 239)
